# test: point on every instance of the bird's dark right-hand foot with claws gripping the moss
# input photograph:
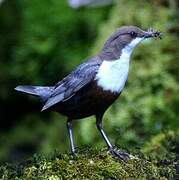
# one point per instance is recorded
(120, 154)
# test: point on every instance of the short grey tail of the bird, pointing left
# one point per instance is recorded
(43, 92)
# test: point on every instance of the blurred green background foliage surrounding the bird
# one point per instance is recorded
(42, 41)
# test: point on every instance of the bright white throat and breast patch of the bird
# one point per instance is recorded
(112, 75)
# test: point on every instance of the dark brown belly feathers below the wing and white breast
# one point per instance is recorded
(88, 101)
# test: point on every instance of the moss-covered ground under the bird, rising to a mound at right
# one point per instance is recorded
(157, 160)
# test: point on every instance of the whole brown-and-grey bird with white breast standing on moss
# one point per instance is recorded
(94, 85)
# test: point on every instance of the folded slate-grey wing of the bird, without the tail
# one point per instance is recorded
(72, 83)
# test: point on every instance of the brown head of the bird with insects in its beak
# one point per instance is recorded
(128, 37)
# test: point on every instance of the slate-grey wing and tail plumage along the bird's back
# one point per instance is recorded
(67, 87)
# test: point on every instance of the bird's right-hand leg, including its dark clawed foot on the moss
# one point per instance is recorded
(117, 153)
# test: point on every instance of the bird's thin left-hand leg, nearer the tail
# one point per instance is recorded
(70, 133)
